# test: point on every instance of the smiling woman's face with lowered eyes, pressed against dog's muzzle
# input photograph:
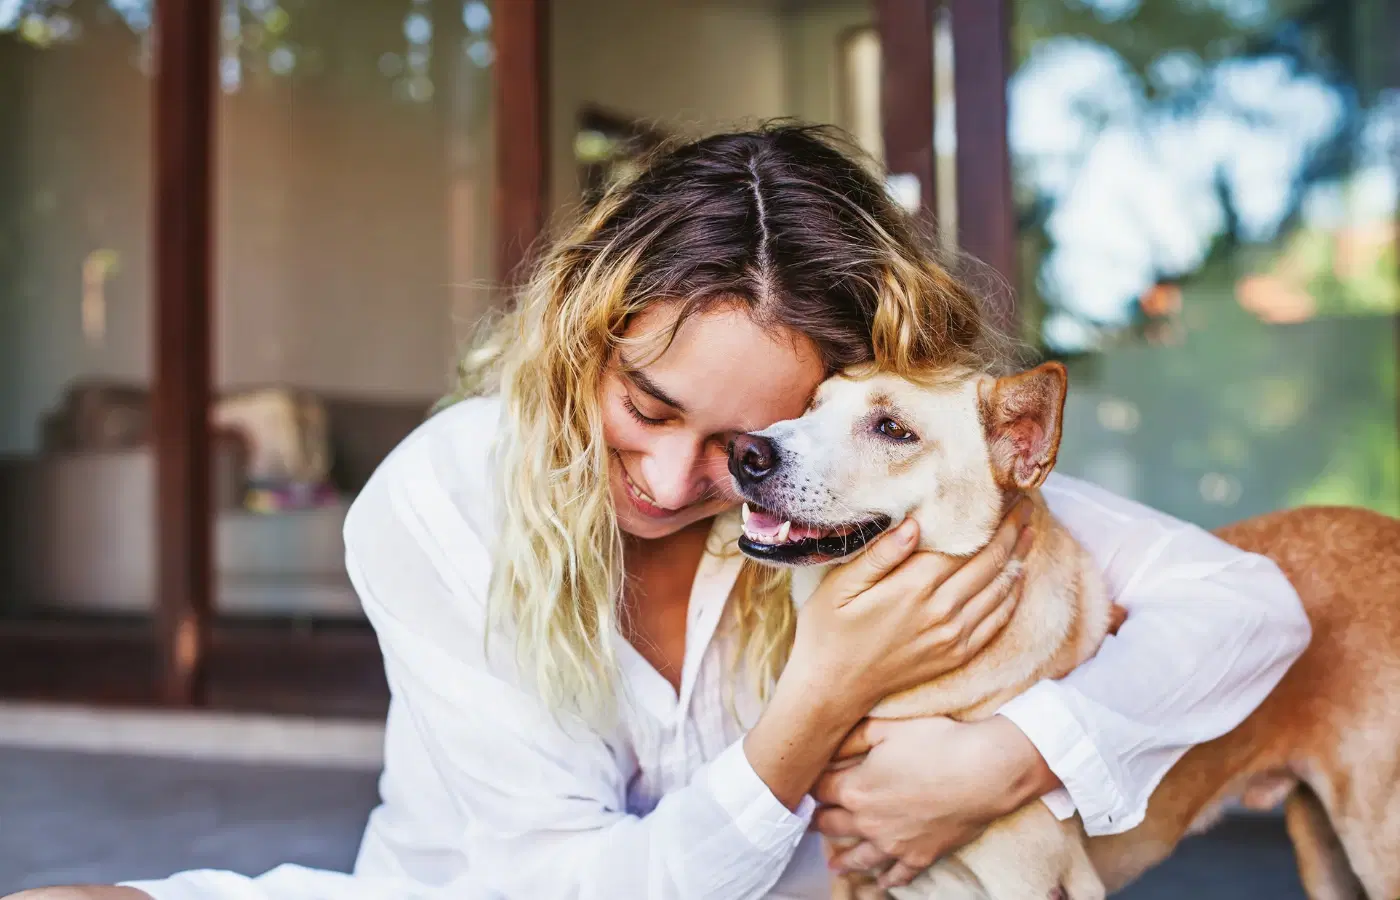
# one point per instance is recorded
(670, 423)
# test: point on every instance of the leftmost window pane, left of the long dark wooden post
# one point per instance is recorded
(76, 464)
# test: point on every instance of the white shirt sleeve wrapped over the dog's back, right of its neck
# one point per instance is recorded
(1210, 632)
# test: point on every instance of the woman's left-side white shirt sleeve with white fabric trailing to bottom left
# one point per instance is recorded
(535, 800)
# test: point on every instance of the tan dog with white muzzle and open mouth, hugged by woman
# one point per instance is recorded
(955, 456)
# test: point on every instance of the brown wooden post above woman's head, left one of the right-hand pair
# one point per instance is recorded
(906, 38)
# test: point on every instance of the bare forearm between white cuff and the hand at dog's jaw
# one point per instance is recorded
(797, 737)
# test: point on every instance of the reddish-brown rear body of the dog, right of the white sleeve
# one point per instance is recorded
(1326, 743)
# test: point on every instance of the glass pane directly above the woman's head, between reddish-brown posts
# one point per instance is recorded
(681, 68)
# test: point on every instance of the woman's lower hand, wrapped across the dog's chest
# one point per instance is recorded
(925, 789)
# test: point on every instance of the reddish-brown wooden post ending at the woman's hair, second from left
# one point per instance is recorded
(521, 97)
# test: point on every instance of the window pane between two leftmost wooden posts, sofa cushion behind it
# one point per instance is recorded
(355, 251)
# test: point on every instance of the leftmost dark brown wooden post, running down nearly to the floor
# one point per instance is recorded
(184, 117)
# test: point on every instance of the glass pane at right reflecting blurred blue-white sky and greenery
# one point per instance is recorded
(1207, 198)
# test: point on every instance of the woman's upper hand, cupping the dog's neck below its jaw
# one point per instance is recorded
(892, 618)
